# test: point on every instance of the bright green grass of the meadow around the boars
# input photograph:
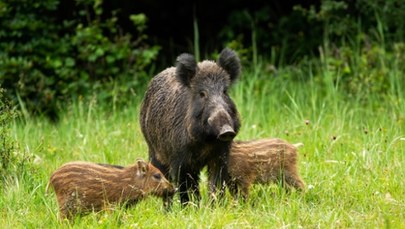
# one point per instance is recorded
(353, 160)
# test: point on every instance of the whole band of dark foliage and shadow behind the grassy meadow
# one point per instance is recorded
(53, 52)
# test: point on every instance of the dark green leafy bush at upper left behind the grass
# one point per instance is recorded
(46, 59)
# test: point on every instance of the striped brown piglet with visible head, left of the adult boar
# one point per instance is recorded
(82, 187)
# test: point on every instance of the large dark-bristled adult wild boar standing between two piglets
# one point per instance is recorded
(189, 120)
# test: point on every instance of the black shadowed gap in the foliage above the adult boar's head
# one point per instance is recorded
(170, 23)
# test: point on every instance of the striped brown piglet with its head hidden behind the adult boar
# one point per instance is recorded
(262, 161)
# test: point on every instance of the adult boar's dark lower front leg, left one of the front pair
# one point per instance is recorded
(188, 185)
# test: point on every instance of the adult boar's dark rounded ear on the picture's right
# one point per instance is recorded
(229, 61)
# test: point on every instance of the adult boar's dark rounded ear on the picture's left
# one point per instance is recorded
(186, 67)
